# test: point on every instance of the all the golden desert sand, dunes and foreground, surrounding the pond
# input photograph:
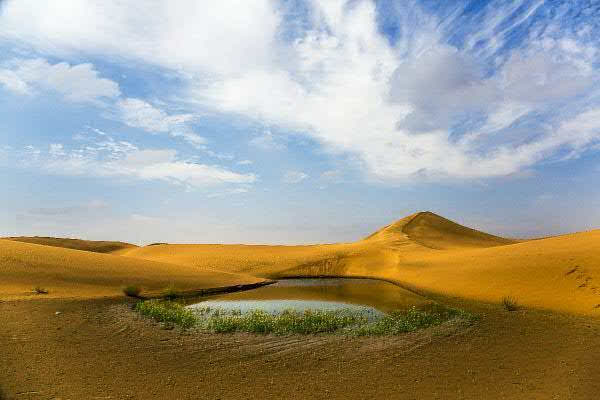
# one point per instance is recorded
(97, 347)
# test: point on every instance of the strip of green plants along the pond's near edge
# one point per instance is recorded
(345, 321)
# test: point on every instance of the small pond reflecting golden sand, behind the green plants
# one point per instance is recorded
(373, 297)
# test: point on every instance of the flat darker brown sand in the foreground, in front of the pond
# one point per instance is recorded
(100, 349)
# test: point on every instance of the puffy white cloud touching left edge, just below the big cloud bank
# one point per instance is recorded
(76, 83)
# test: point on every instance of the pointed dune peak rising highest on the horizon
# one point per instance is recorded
(431, 230)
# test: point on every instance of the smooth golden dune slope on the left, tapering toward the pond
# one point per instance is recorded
(75, 273)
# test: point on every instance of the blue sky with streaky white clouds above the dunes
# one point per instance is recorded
(295, 121)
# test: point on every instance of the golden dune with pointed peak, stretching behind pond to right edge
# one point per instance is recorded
(428, 253)
